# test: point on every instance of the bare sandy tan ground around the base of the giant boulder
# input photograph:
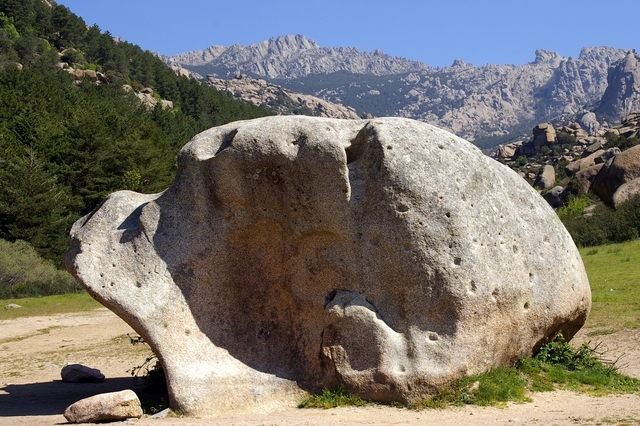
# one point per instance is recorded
(33, 351)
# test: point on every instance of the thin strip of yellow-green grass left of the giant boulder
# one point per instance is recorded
(48, 305)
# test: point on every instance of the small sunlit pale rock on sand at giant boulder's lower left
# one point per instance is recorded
(106, 407)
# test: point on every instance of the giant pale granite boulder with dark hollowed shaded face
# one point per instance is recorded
(292, 253)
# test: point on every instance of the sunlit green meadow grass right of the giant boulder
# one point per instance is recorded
(614, 273)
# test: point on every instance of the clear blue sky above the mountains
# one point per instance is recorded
(432, 31)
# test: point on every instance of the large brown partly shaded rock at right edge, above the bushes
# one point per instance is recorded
(622, 168)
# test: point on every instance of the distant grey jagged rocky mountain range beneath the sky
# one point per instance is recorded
(487, 104)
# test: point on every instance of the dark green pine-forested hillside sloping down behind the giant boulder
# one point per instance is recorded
(65, 142)
